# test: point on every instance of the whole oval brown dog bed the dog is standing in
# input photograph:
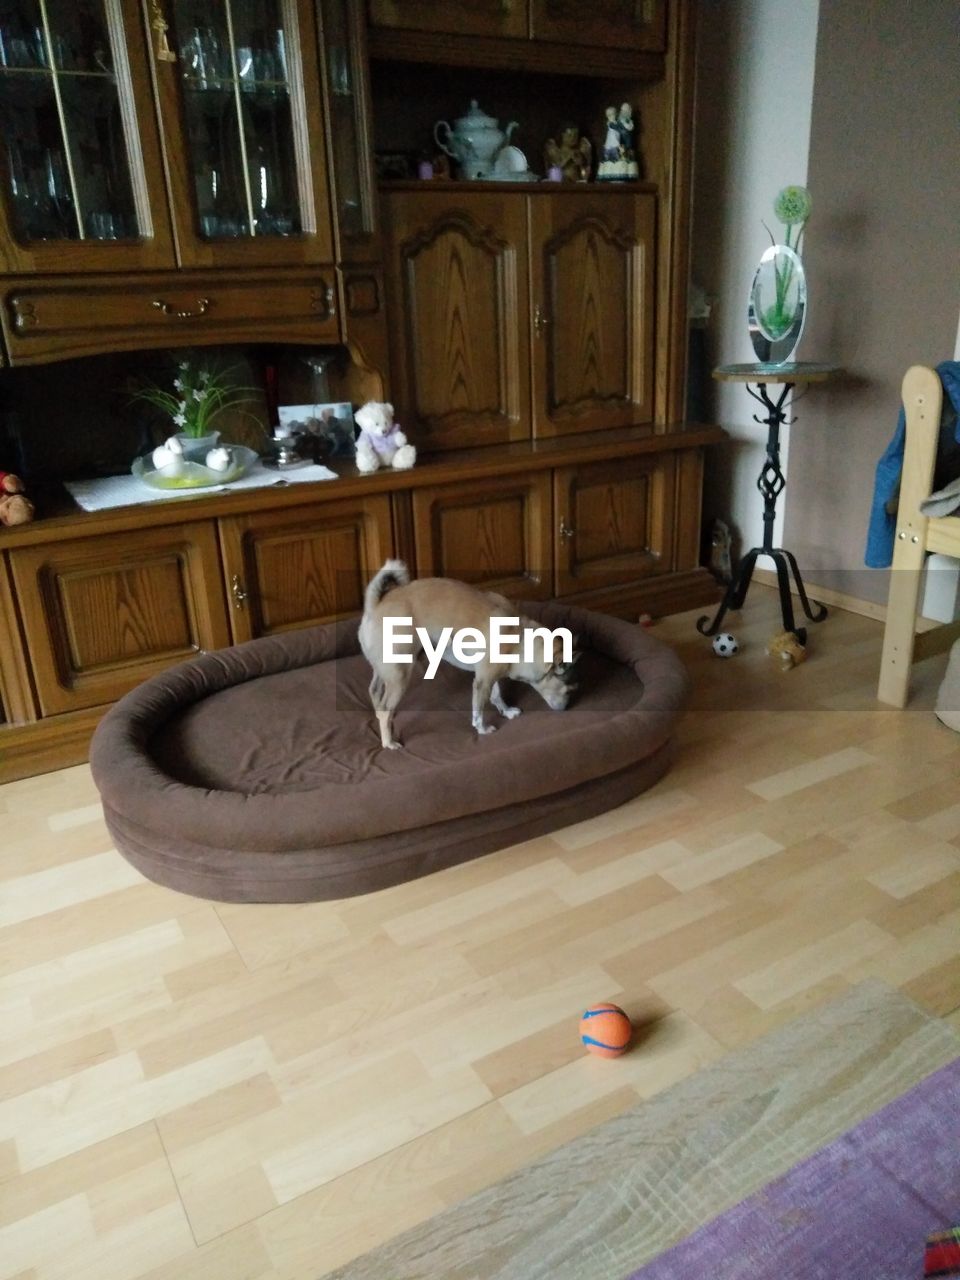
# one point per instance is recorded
(257, 775)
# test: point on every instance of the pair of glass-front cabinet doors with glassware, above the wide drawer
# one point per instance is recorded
(92, 98)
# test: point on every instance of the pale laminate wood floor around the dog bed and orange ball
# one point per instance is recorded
(193, 1090)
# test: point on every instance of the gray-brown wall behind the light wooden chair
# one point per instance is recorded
(883, 257)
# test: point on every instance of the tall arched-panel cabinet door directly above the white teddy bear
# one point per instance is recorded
(458, 275)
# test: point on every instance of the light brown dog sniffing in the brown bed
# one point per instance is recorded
(441, 607)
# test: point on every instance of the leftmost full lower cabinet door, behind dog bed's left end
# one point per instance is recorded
(103, 614)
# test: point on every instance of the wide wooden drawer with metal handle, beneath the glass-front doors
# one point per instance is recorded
(43, 321)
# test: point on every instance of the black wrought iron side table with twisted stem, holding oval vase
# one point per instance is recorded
(771, 483)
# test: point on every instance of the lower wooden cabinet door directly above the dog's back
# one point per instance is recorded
(492, 533)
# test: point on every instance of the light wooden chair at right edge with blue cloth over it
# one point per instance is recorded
(916, 537)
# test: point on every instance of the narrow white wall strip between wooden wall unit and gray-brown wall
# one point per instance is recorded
(756, 70)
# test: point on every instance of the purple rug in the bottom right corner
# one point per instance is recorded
(861, 1206)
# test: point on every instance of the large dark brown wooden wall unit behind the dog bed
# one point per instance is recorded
(536, 349)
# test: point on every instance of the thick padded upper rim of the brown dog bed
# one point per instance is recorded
(135, 790)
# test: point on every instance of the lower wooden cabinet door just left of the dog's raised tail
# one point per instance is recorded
(303, 568)
